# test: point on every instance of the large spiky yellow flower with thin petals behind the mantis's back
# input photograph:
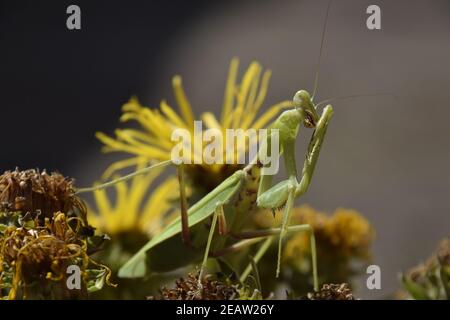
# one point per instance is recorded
(242, 103)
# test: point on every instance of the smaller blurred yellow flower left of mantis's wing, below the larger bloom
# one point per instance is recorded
(134, 208)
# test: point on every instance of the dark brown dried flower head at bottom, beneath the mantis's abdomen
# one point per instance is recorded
(190, 288)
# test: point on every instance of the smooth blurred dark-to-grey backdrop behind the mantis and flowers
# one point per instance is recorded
(384, 156)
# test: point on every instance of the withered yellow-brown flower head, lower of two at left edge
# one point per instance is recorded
(34, 257)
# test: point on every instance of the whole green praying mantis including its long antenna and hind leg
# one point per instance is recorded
(230, 205)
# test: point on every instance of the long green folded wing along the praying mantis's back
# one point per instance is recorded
(136, 266)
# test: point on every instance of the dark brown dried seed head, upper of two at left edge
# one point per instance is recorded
(35, 192)
